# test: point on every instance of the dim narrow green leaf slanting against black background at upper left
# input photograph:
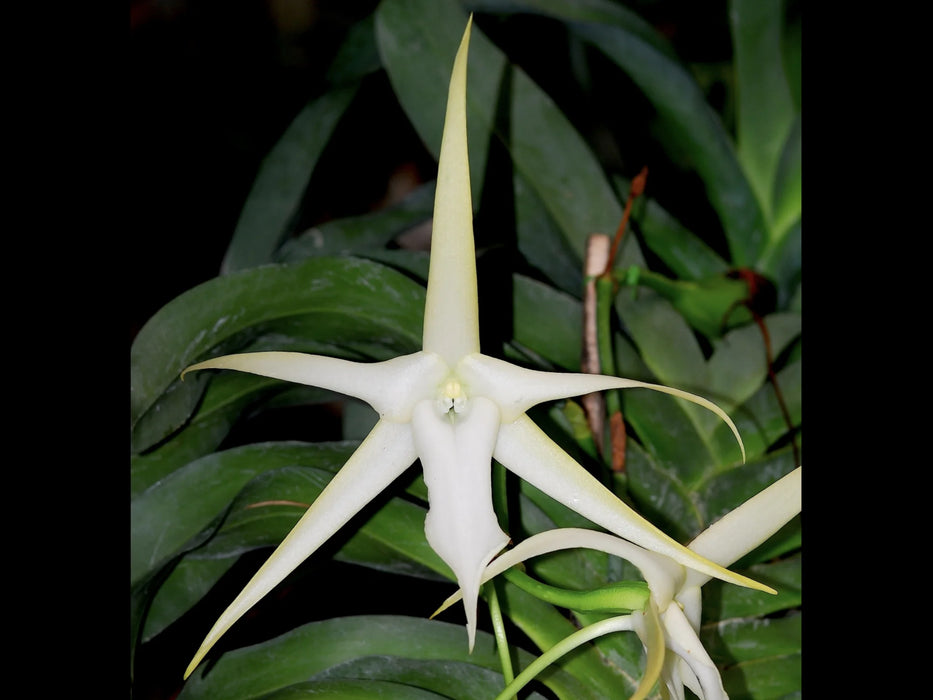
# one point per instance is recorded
(280, 184)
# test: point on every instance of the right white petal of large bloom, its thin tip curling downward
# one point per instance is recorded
(516, 389)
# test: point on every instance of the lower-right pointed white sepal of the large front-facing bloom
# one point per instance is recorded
(527, 451)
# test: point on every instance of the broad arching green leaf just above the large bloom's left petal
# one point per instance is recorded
(322, 304)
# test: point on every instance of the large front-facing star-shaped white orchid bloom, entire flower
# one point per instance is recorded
(453, 408)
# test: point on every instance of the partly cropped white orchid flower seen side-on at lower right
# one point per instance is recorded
(671, 619)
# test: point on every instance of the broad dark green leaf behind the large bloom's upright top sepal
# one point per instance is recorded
(557, 177)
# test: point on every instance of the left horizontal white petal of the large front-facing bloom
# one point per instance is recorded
(391, 387)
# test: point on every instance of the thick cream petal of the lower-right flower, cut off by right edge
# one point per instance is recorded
(741, 530)
